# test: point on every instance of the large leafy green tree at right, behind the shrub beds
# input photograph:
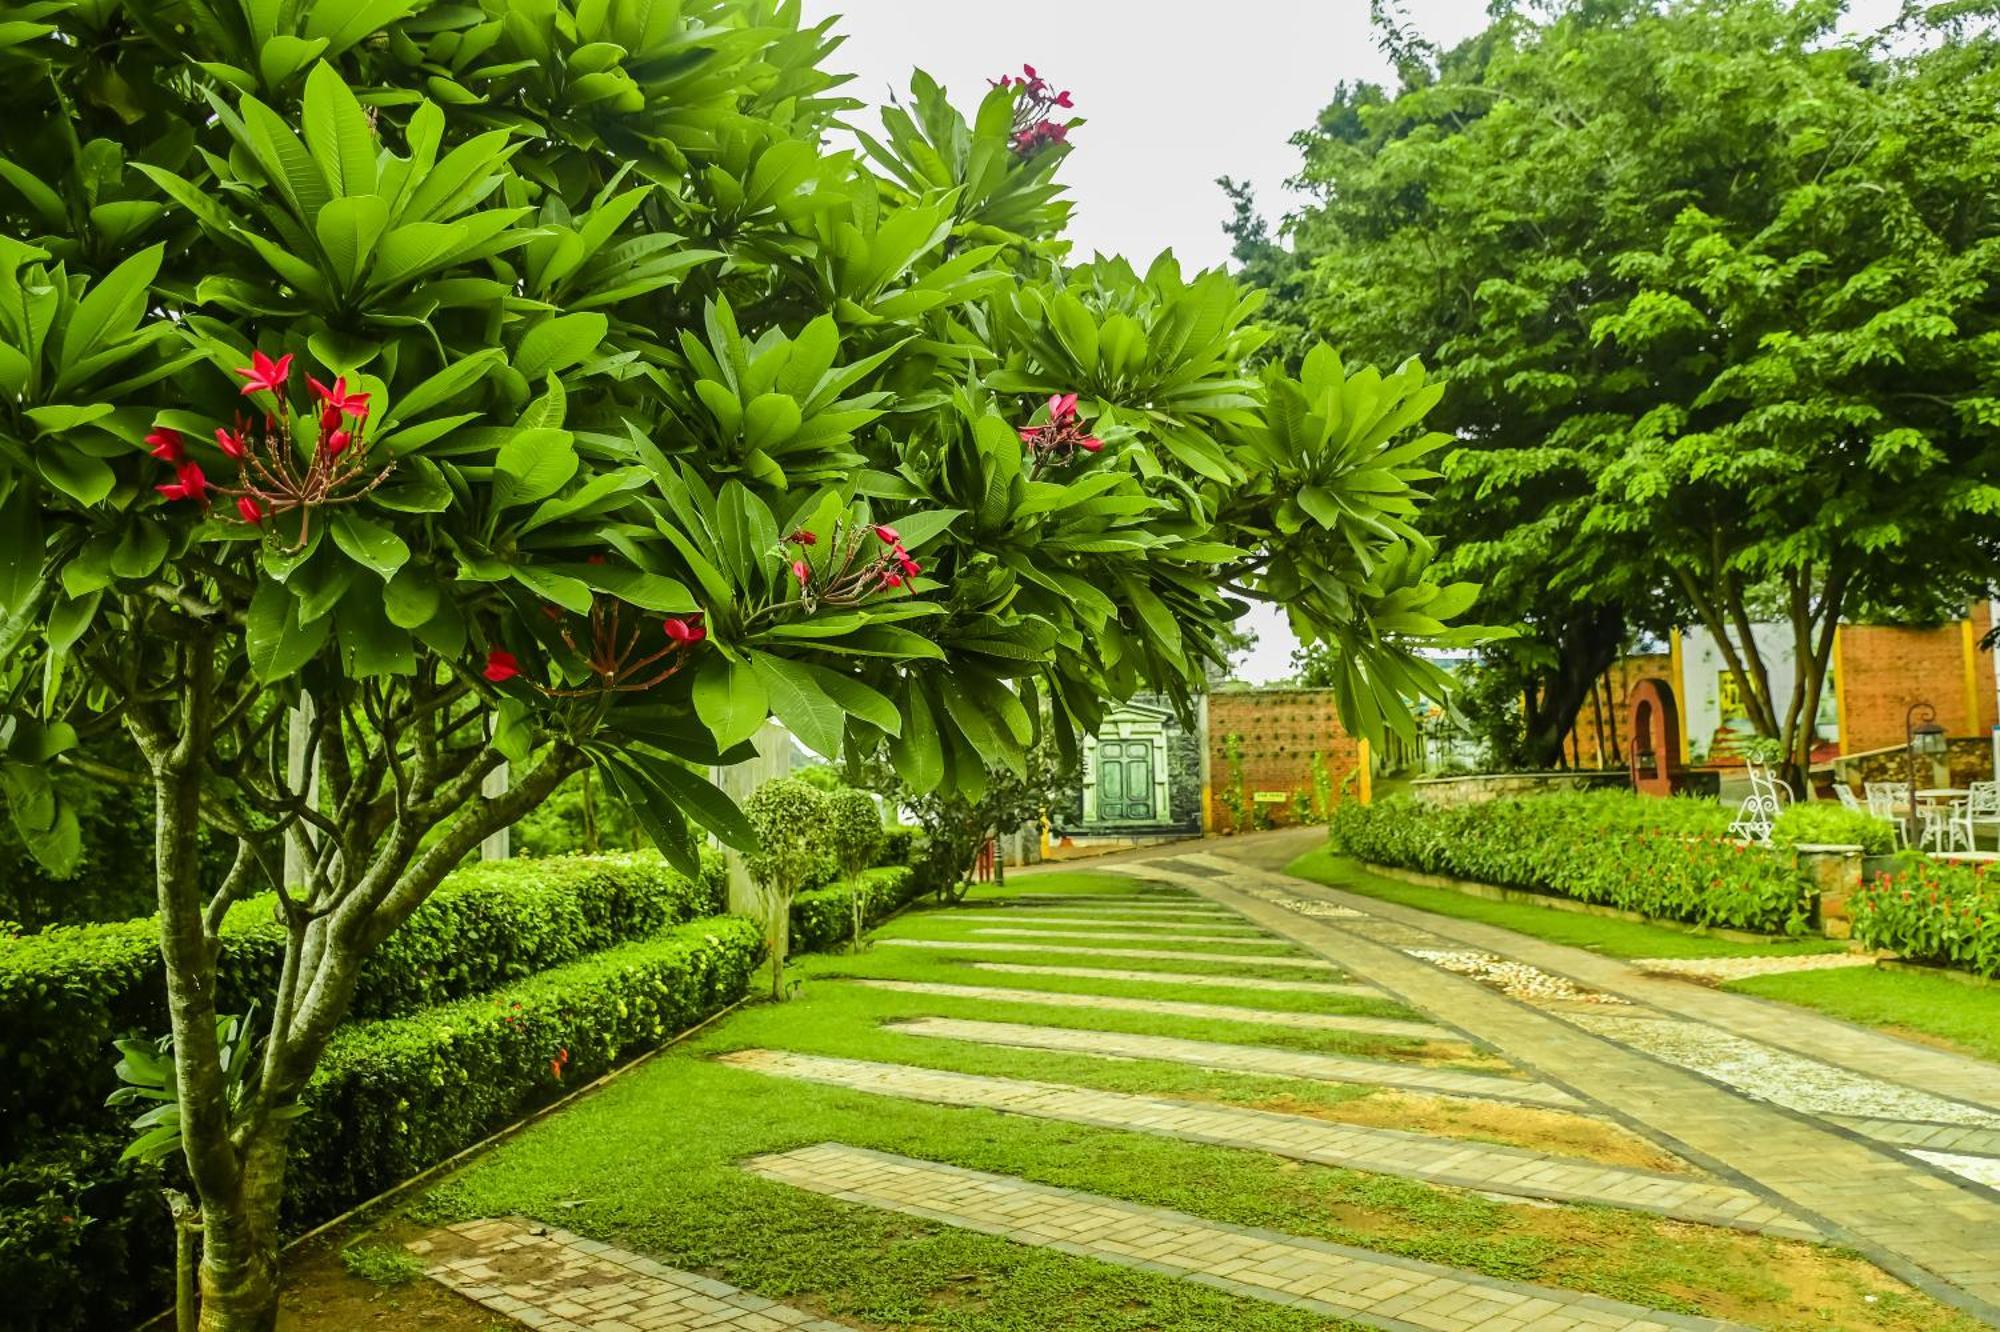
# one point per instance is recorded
(1711, 291)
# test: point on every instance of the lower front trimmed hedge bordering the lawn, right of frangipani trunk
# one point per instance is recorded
(401, 1095)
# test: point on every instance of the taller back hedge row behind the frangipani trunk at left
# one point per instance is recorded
(71, 991)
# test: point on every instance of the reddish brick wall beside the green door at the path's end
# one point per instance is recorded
(1279, 733)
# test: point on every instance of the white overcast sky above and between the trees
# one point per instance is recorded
(1175, 95)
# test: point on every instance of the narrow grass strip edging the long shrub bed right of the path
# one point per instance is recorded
(1615, 939)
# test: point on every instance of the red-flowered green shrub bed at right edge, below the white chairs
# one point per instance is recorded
(1947, 915)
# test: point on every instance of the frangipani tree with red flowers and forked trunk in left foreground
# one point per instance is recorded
(399, 393)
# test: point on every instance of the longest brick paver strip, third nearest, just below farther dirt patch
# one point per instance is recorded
(1453, 1163)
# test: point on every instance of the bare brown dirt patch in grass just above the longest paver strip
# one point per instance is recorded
(1525, 1127)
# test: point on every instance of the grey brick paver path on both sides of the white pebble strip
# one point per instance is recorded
(1933, 1229)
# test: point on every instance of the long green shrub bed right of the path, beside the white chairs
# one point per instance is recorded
(1667, 859)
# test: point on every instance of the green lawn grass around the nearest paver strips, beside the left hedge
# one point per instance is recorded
(653, 1165)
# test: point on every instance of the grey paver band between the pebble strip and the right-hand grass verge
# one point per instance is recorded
(1845, 1045)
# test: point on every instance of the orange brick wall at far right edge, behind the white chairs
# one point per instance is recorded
(1887, 669)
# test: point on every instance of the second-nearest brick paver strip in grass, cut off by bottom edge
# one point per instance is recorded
(1331, 1279)
